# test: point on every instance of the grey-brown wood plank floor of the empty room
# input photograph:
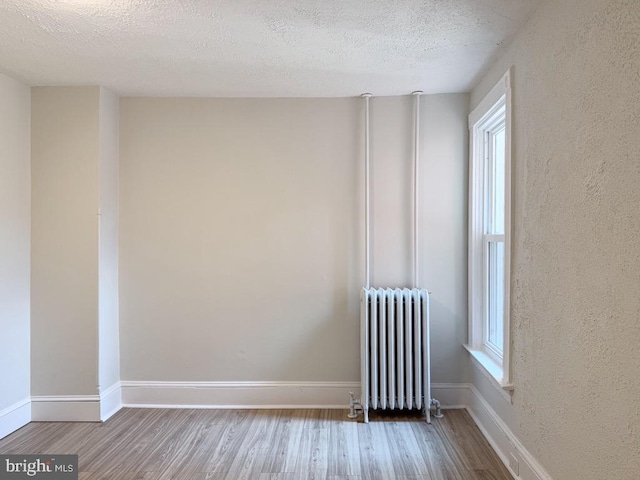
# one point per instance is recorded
(158, 444)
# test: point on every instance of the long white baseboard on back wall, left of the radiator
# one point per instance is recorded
(238, 394)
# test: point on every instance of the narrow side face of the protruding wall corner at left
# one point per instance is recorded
(108, 329)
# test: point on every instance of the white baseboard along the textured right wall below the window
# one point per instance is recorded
(502, 439)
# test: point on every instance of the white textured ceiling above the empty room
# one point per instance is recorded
(256, 48)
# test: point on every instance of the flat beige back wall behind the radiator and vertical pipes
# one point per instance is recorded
(241, 225)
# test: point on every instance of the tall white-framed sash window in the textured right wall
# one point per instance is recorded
(489, 232)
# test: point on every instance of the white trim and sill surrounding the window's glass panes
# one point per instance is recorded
(498, 370)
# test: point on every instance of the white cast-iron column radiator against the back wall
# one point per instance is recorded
(395, 350)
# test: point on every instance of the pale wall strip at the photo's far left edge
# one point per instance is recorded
(15, 202)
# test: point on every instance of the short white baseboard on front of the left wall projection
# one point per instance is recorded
(65, 408)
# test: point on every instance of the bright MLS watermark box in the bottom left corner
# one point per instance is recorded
(51, 467)
